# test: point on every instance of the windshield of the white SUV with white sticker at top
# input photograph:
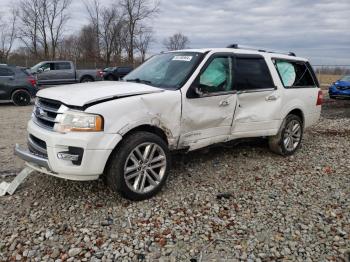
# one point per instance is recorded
(169, 70)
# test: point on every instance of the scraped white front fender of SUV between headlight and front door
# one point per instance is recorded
(162, 110)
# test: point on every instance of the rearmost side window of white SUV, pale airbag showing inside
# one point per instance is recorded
(294, 73)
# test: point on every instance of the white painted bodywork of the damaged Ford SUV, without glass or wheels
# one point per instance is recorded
(187, 123)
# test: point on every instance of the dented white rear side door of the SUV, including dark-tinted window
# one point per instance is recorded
(258, 99)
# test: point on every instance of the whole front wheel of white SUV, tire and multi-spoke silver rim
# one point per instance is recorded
(138, 168)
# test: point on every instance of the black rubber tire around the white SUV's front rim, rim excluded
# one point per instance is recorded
(115, 170)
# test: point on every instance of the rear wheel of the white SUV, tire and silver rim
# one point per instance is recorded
(289, 137)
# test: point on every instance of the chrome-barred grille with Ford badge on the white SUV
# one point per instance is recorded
(45, 112)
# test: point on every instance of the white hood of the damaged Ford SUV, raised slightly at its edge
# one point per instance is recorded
(86, 93)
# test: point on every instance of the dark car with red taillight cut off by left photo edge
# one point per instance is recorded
(17, 85)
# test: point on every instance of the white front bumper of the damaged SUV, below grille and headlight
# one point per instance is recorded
(72, 156)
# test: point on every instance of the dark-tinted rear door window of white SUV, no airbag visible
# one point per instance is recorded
(252, 73)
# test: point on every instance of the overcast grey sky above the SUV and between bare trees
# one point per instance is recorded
(319, 30)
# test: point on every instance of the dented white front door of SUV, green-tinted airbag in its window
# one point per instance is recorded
(209, 104)
